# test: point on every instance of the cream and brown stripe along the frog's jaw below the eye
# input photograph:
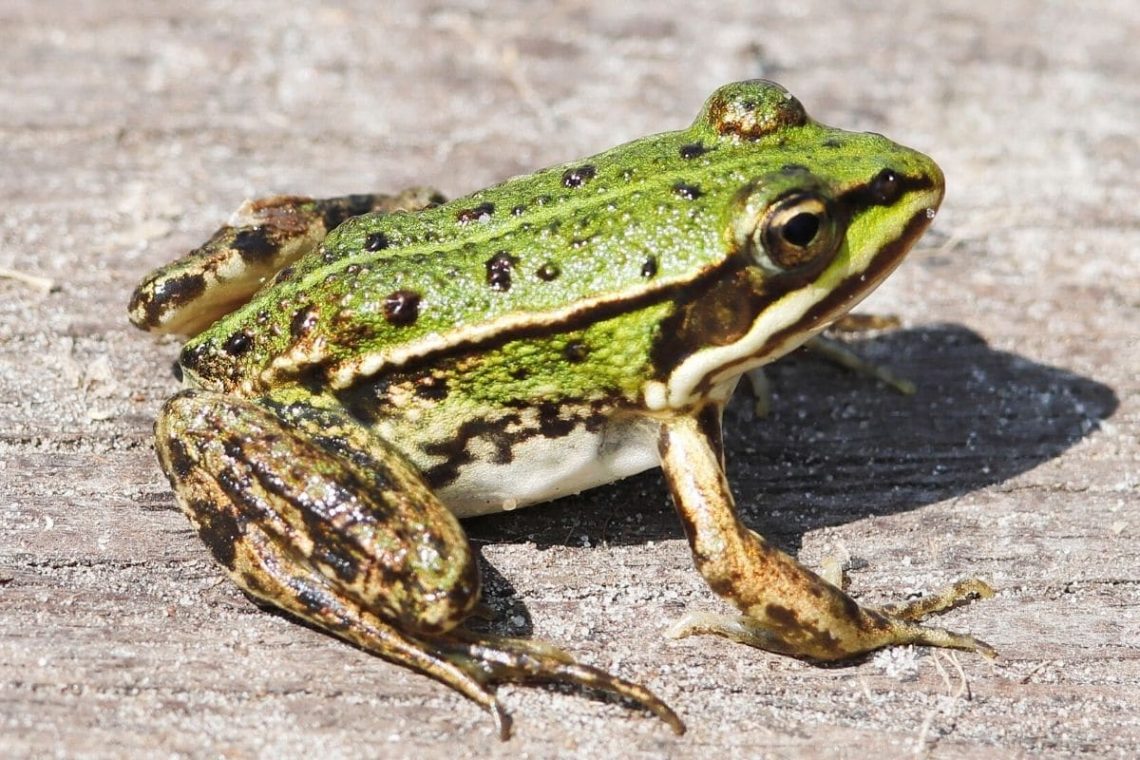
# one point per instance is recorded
(799, 315)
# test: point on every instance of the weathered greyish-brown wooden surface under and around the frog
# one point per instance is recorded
(128, 132)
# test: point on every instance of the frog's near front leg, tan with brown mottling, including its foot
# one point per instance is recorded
(787, 608)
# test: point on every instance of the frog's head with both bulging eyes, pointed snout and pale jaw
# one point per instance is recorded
(824, 218)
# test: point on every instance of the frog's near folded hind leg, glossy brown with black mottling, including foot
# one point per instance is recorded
(312, 514)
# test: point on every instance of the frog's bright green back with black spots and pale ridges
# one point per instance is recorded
(543, 255)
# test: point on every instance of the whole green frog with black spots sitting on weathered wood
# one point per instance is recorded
(364, 372)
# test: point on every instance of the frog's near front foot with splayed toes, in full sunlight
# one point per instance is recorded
(843, 628)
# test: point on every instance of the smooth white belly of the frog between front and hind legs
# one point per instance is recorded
(543, 469)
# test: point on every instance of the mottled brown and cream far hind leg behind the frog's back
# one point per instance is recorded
(262, 239)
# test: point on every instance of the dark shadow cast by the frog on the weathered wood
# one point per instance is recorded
(838, 448)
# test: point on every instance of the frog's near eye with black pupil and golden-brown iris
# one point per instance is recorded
(797, 231)
